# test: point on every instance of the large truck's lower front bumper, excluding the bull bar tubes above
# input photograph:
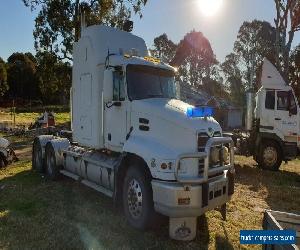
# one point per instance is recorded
(175, 200)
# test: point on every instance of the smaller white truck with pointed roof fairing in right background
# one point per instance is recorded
(274, 122)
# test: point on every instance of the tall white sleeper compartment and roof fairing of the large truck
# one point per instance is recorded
(89, 55)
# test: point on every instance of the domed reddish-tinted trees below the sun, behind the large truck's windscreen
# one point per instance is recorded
(195, 60)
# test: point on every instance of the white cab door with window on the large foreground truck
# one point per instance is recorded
(115, 123)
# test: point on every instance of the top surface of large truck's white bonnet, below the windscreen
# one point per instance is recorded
(174, 111)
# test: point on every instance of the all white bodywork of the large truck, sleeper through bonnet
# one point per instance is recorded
(170, 129)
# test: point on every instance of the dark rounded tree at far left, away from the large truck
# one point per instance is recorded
(21, 77)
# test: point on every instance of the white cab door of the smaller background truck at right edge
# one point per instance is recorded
(286, 115)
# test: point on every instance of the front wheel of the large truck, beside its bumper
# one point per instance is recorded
(138, 199)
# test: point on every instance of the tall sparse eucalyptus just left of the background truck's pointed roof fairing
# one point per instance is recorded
(255, 41)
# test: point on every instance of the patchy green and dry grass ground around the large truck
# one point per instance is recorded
(39, 214)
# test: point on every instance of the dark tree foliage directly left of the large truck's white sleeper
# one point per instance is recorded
(54, 78)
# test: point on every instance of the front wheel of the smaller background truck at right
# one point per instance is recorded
(270, 156)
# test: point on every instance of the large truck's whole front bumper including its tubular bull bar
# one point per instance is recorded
(191, 197)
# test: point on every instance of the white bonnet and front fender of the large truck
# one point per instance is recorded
(171, 133)
